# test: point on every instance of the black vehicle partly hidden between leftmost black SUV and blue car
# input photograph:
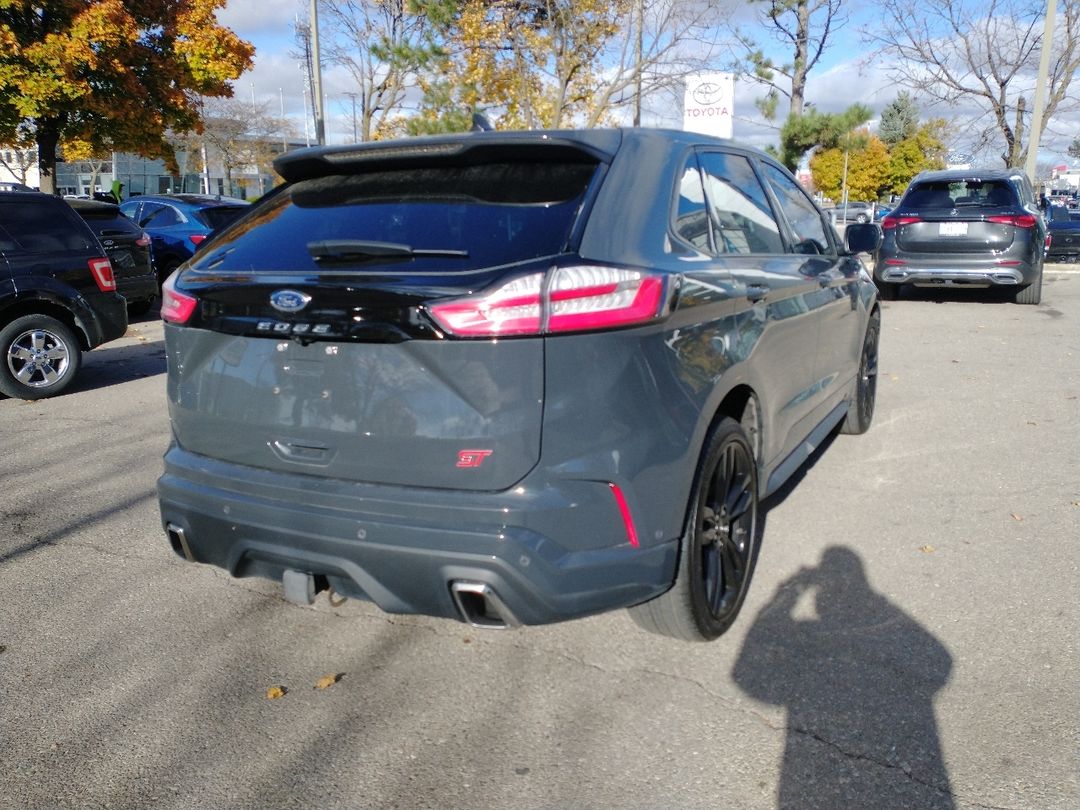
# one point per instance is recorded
(128, 248)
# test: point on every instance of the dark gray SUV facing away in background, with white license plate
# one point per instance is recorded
(971, 228)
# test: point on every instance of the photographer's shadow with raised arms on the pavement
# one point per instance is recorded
(858, 678)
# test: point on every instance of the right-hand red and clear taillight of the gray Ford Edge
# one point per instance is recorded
(576, 299)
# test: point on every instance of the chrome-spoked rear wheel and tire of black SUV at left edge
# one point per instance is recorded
(42, 357)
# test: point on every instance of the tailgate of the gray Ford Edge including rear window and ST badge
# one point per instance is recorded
(312, 352)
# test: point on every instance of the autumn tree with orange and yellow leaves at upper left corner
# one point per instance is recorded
(111, 75)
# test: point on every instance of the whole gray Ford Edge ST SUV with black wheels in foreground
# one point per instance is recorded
(512, 379)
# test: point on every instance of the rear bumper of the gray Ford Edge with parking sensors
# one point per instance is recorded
(534, 547)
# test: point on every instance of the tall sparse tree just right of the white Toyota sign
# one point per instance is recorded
(805, 26)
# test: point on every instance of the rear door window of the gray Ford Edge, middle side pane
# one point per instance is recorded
(742, 219)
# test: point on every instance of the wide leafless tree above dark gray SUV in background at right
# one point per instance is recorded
(984, 55)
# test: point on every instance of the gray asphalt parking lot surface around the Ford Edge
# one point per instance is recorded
(911, 639)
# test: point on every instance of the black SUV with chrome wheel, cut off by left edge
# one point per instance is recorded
(58, 295)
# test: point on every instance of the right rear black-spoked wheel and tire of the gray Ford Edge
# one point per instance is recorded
(719, 548)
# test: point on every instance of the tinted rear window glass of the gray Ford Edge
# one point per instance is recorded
(437, 220)
